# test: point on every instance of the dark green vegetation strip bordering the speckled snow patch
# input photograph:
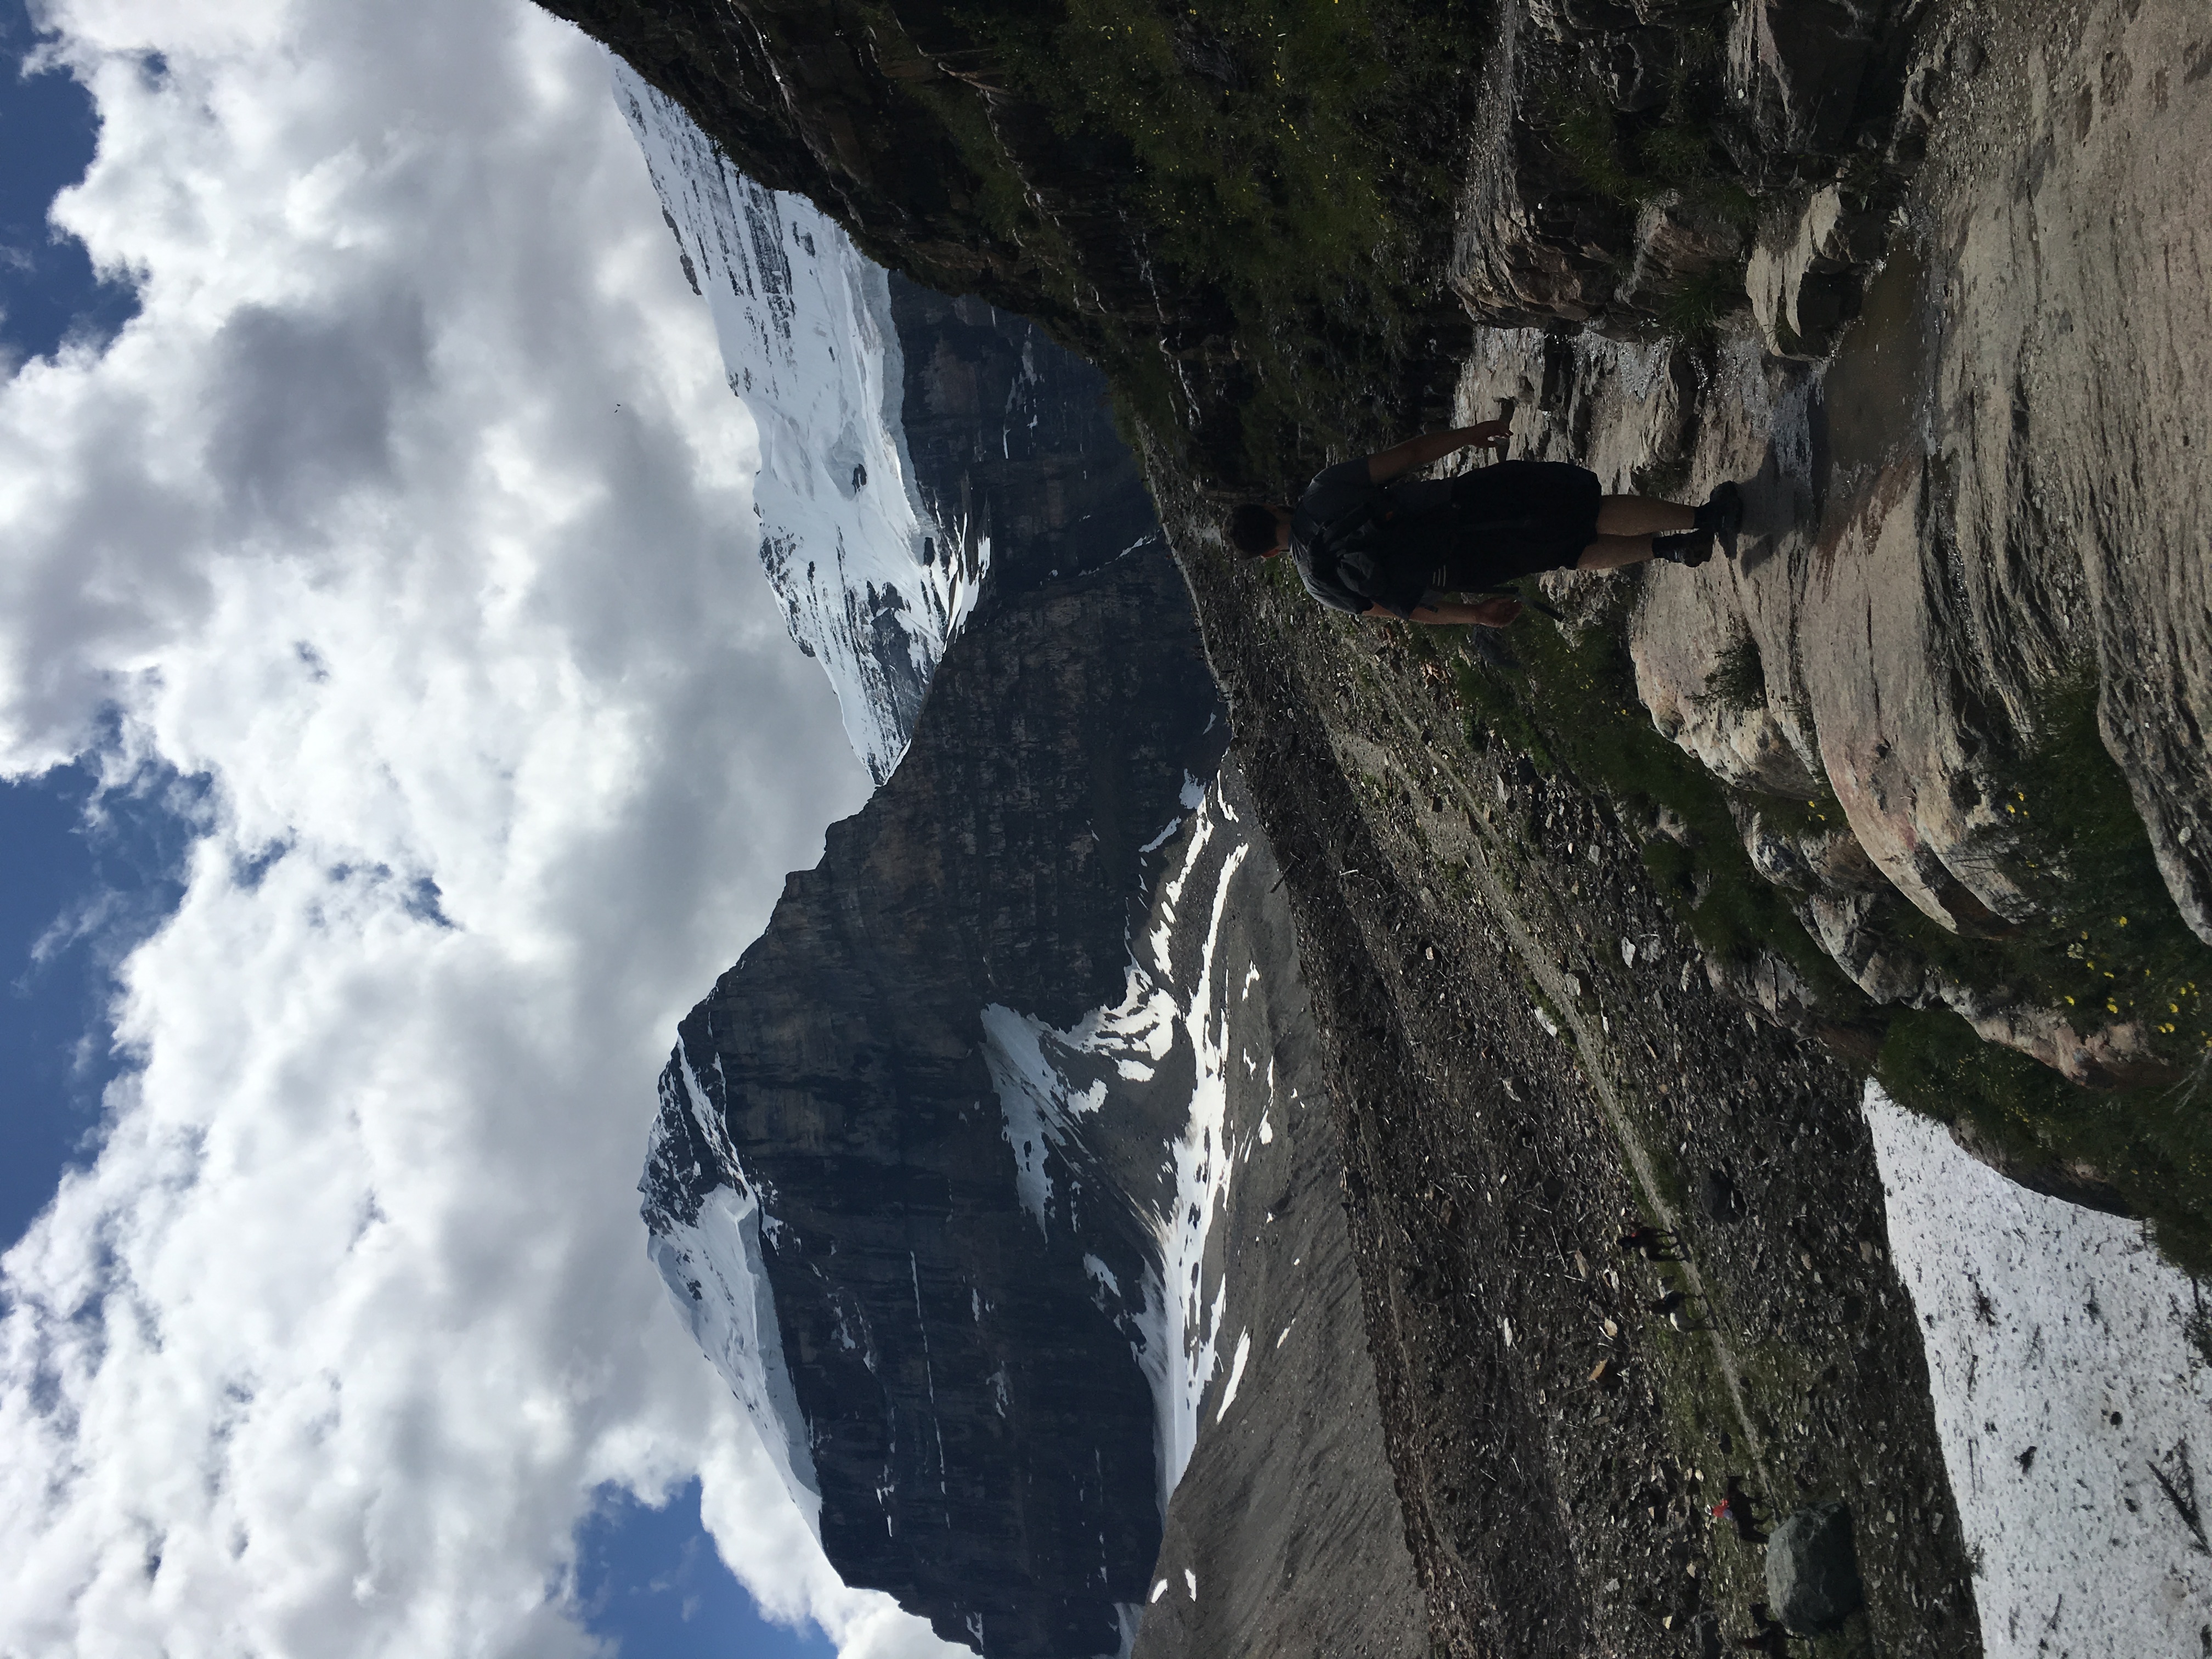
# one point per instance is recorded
(2151, 1145)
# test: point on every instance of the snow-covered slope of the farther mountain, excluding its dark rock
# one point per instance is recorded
(870, 585)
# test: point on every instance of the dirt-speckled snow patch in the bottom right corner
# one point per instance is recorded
(2074, 1410)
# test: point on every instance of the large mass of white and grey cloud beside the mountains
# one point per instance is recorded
(508, 758)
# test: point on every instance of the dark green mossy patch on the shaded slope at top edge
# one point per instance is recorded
(1288, 160)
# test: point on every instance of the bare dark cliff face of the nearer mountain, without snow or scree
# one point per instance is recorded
(981, 1432)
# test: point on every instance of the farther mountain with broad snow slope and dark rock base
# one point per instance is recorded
(915, 448)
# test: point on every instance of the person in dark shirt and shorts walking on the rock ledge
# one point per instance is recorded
(1375, 543)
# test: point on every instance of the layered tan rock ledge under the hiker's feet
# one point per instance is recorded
(1945, 521)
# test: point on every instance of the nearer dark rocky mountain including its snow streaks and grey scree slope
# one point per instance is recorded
(997, 1180)
